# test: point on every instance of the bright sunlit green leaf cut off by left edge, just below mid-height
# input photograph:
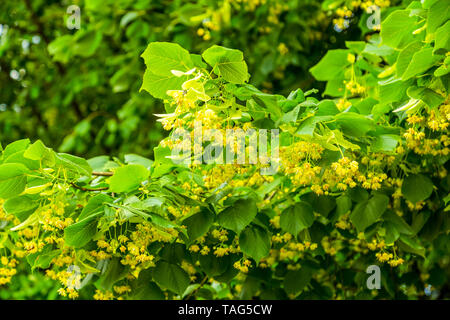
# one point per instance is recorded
(12, 179)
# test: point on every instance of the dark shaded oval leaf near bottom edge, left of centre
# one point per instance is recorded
(171, 276)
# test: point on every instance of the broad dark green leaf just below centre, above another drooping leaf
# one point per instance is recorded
(239, 215)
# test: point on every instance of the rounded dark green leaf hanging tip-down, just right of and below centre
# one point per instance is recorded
(296, 218)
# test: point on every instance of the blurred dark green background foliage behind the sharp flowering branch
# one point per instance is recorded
(78, 90)
